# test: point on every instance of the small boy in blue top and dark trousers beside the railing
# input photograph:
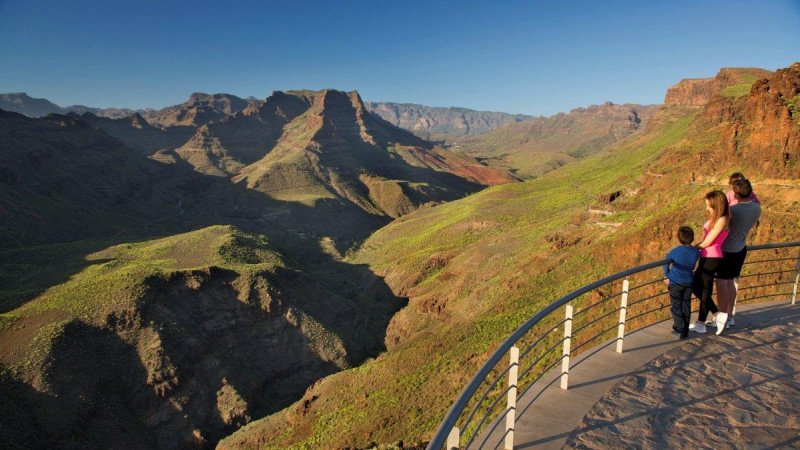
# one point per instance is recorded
(678, 275)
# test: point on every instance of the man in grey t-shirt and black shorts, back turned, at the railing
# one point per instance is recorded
(744, 215)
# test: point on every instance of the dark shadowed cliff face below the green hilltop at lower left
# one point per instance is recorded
(193, 361)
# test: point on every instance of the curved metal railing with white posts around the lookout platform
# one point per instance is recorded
(649, 302)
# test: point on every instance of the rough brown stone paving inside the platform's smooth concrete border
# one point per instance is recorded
(737, 390)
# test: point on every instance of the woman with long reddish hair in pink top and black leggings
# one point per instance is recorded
(715, 230)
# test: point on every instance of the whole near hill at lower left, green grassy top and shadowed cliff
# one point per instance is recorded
(203, 331)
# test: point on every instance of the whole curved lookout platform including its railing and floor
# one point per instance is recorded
(562, 380)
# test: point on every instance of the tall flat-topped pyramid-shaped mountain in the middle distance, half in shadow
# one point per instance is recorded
(338, 153)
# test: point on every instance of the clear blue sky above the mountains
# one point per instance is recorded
(531, 57)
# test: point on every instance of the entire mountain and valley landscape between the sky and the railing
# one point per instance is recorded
(300, 271)
